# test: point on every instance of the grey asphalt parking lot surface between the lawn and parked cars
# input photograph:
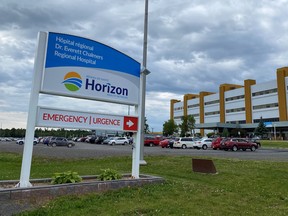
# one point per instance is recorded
(86, 150)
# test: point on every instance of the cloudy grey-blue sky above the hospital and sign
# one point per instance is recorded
(193, 46)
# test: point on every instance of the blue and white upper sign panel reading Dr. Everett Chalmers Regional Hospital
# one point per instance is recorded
(83, 68)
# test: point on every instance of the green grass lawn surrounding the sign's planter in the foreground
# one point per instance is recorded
(239, 188)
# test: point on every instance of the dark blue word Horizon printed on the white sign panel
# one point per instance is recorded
(92, 84)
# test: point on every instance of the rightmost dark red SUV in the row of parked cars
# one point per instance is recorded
(235, 144)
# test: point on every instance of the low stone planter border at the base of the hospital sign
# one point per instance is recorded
(14, 200)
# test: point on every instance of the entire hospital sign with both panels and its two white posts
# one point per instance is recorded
(72, 66)
